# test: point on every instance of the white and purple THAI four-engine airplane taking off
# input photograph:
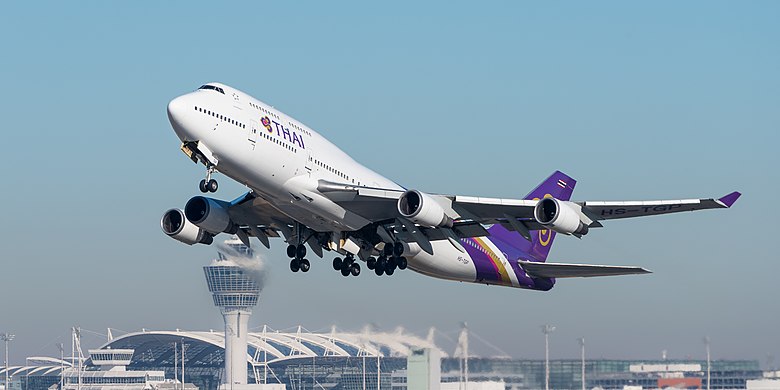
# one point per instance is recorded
(304, 188)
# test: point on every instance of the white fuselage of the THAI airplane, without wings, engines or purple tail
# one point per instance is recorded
(283, 160)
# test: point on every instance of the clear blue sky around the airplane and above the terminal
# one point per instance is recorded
(635, 100)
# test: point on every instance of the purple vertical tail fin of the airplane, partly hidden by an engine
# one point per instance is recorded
(559, 186)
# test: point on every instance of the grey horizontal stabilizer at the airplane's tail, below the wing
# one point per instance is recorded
(562, 270)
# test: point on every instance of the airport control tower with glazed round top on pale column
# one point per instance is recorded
(235, 286)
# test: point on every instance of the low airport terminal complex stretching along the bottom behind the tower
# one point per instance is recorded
(339, 360)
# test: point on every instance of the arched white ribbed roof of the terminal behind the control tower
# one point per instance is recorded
(275, 346)
